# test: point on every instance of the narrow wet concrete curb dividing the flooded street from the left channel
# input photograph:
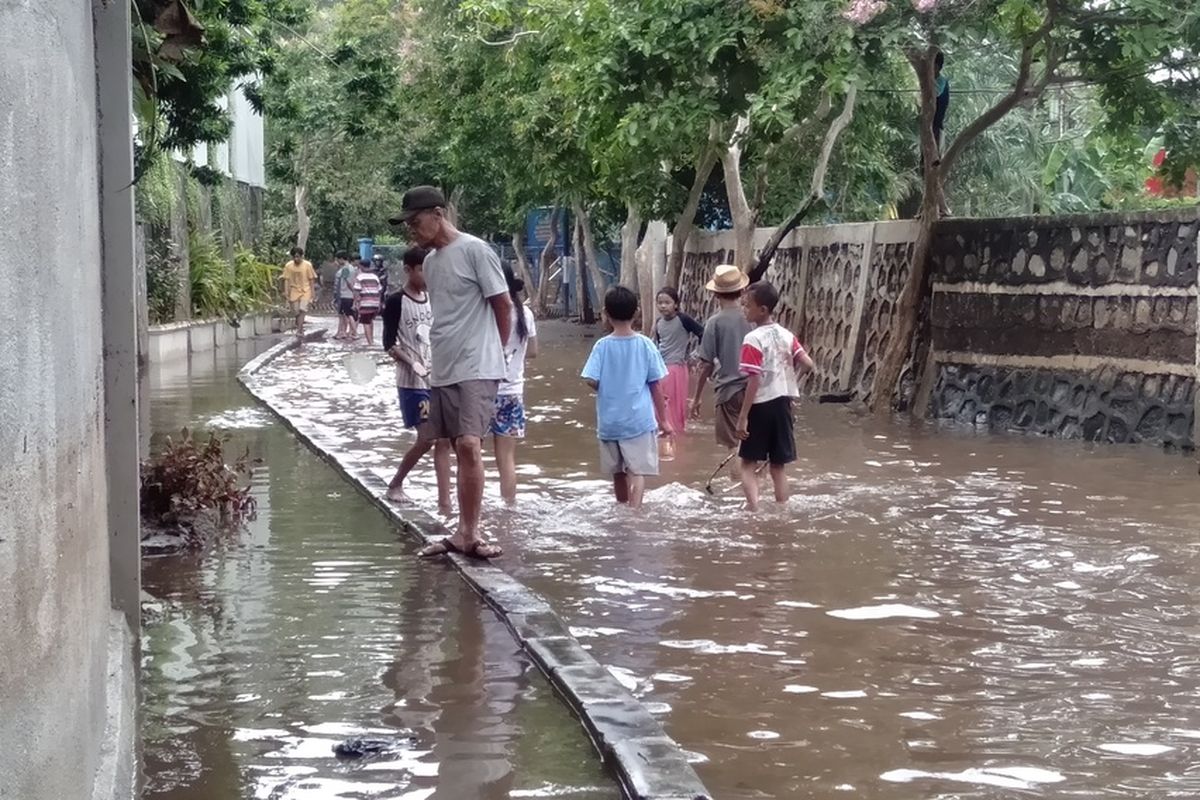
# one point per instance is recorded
(650, 765)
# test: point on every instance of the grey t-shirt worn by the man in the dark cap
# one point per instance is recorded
(465, 341)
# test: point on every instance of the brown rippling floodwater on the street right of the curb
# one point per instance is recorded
(935, 613)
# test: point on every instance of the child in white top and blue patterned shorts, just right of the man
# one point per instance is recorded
(509, 420)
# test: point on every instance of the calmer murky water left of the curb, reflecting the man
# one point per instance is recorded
(316, 624)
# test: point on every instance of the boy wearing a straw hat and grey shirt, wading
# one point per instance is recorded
(721, 352)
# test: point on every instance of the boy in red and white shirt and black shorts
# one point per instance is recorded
(772, 360)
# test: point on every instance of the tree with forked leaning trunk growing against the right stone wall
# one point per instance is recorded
(1119, 49)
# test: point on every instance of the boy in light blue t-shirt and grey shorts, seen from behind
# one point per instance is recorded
(626, 371)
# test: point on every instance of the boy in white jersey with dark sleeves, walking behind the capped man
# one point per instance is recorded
(407, 318)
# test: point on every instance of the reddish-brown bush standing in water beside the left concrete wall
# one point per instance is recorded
(189, 478)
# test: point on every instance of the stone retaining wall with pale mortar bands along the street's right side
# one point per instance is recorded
(1070, 327)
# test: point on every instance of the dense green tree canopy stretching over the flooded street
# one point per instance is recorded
(670, 109)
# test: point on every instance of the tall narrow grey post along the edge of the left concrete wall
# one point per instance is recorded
(115, 94)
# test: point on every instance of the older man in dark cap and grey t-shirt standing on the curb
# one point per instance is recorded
(472, 312)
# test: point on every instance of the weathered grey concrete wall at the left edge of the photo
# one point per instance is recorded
(57, 621)
